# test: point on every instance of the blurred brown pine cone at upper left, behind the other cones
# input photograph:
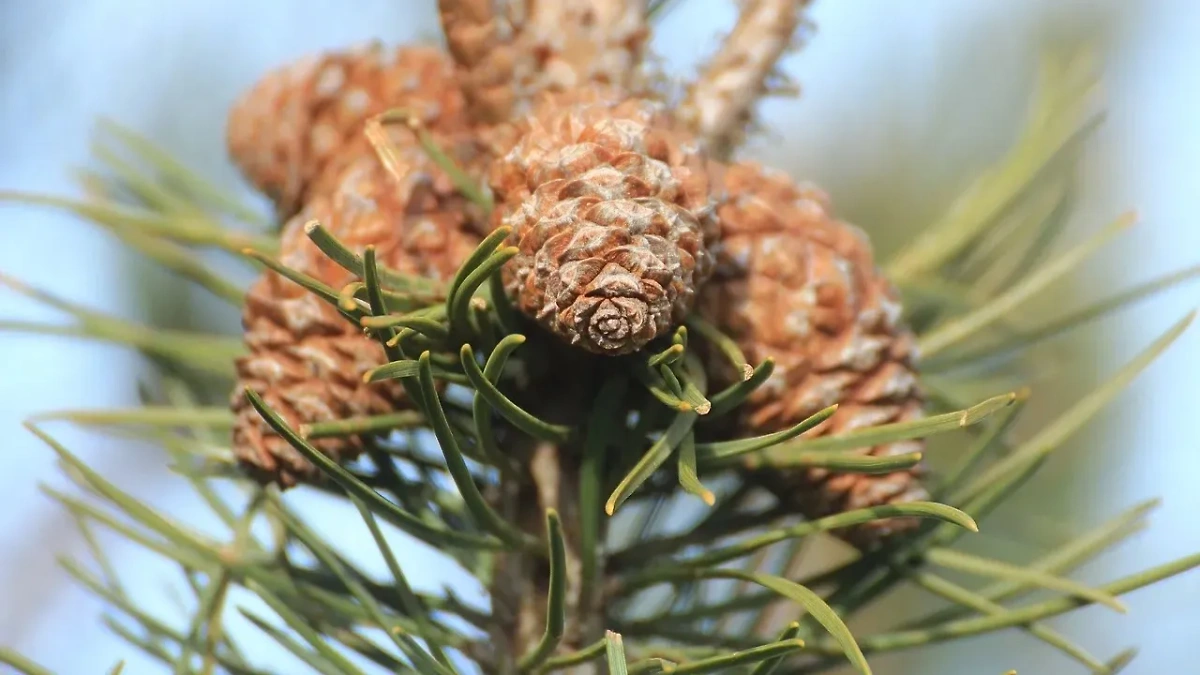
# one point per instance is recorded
(291, 127)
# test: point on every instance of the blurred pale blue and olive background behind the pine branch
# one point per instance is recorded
(903, 105)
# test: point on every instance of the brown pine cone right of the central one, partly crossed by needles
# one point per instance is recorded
(797, 285)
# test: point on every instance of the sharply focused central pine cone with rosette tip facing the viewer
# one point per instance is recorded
(613, 216)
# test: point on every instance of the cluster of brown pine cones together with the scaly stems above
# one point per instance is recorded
(625, 207)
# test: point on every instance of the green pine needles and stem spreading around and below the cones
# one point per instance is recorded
(550, 480)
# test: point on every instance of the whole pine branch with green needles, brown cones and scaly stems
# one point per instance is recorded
(523, 307)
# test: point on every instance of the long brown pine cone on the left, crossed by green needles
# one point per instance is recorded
(305, 359)
